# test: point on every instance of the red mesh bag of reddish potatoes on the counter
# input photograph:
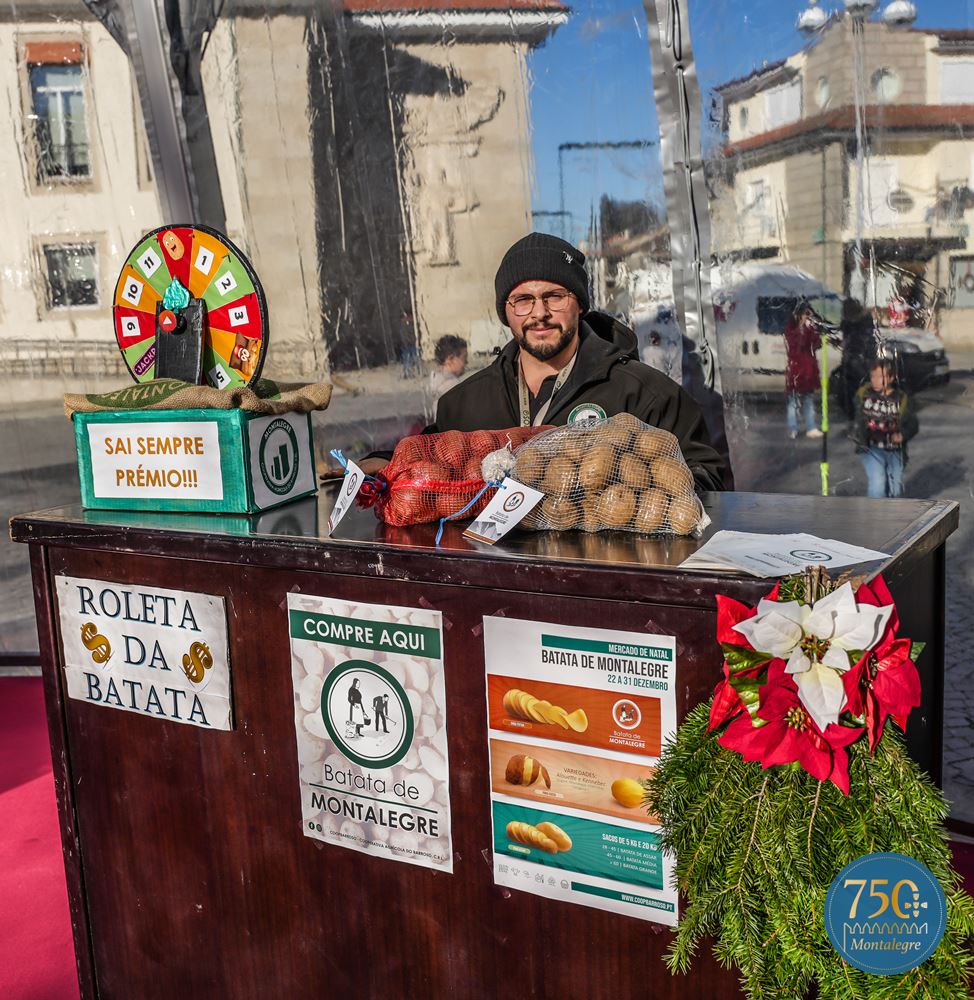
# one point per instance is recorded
(436, 475)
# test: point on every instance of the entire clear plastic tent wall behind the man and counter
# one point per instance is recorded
(375, 159)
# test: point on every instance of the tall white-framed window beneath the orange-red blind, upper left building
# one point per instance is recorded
(60, 128)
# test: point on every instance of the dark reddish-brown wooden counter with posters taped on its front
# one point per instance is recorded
(188, 874)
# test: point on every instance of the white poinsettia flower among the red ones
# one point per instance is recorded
(815, 640)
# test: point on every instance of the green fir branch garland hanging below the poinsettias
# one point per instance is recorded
(757, 849)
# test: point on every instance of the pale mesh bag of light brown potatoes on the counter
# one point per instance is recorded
(617, 474)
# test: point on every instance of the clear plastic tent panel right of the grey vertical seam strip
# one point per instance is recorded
(839, 149)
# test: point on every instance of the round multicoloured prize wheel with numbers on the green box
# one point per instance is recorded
(210, 269)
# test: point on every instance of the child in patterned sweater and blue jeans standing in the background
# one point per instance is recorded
(883, 422)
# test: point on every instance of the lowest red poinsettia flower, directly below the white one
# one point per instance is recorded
(790, 735)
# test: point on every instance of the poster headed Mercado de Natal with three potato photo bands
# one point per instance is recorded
(577, 718)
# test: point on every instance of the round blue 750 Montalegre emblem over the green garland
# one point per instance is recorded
(885, 913)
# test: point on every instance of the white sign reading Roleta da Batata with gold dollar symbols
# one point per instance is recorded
(161, 653)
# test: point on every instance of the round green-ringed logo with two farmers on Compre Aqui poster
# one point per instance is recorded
(367, 714)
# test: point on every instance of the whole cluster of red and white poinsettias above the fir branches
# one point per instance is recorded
(795, 671)
